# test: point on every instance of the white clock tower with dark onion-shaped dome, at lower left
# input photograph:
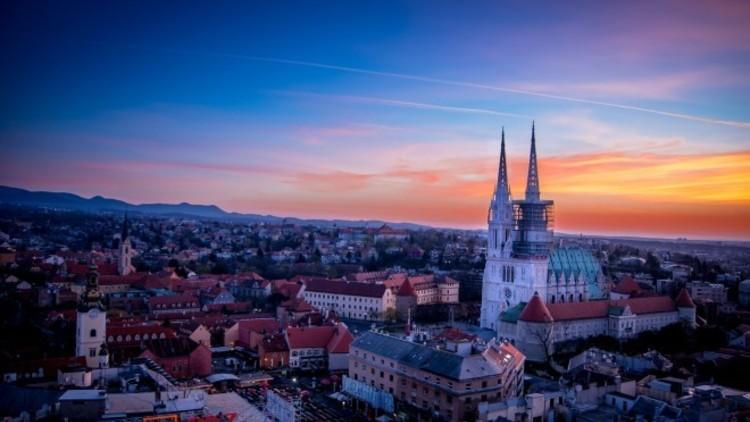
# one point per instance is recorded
(91, 324)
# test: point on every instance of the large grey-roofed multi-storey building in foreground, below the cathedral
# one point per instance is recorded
(446, 384)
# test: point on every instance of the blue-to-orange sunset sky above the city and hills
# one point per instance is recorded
(387, 110)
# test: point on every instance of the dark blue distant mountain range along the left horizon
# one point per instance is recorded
(99, 204)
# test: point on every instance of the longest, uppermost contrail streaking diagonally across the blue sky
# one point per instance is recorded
(691, 117)
